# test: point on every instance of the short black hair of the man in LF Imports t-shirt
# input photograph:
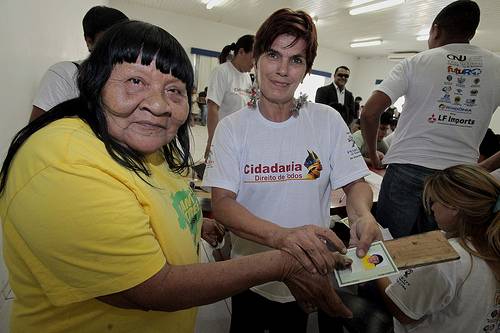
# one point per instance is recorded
(459, 19)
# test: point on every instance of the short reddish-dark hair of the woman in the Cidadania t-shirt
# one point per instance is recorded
(286, 21)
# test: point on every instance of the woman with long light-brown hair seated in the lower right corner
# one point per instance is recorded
(462, 295)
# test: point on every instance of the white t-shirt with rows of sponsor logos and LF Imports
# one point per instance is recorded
(450, 94)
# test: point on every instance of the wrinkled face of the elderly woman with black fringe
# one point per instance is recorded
(144, 108)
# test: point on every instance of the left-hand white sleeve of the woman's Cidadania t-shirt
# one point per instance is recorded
(223, 169)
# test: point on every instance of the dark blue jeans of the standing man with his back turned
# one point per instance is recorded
(399, 205)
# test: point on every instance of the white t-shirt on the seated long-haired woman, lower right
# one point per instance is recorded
(457, 296)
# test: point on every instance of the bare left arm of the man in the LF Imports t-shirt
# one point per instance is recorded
(370, 118)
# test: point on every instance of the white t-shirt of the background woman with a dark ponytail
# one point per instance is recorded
(228, 88)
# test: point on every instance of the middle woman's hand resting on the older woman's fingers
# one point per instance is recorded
(310, 245)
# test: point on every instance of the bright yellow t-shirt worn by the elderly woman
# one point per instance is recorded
(77, 225)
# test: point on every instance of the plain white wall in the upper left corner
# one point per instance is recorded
(34, 35)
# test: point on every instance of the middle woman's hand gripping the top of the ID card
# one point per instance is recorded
(364, 231)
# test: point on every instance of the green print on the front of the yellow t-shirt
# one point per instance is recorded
(188, 211)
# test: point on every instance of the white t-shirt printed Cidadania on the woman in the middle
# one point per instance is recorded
(271, 167)
